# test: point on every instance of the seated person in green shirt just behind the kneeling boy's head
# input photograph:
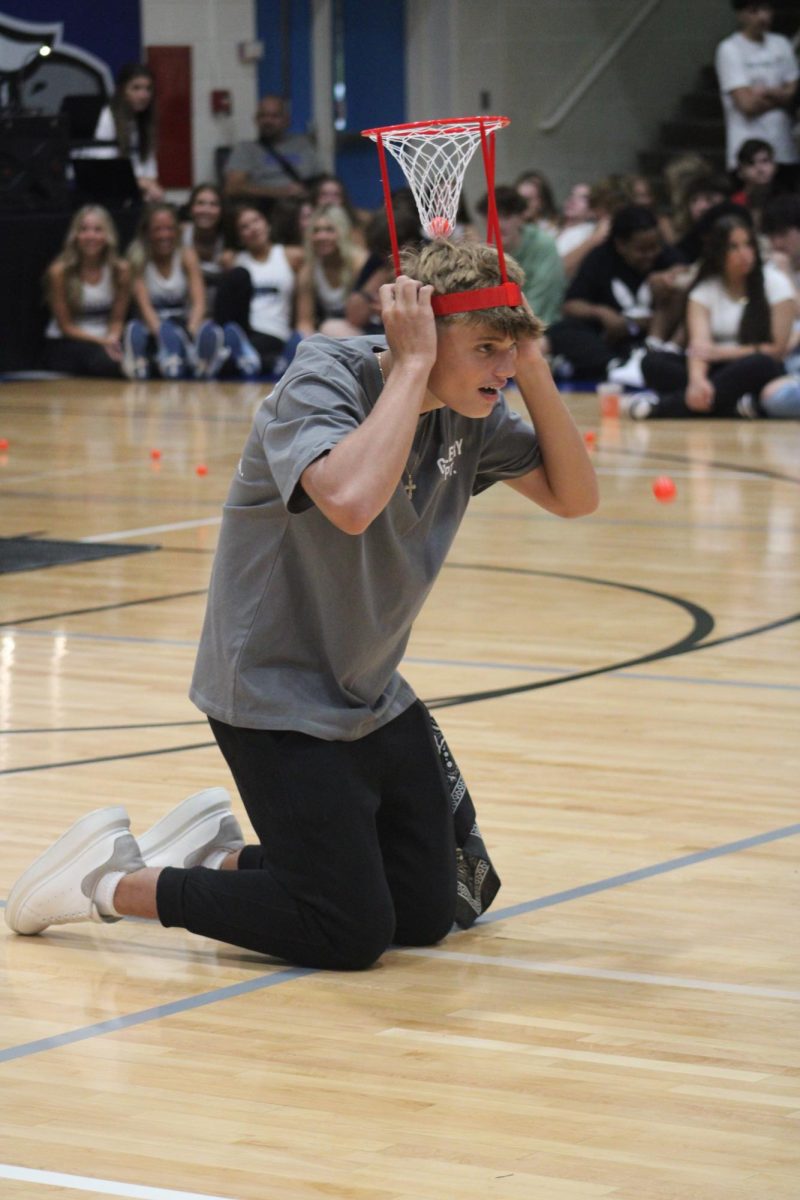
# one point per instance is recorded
(534, 251)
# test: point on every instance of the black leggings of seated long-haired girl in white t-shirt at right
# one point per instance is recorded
(669, 376)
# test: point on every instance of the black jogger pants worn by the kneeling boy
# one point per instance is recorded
(357, 848)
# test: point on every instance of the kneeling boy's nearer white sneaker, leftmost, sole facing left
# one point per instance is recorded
(61, 886)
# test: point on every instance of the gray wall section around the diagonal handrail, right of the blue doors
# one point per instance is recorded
(531, 55)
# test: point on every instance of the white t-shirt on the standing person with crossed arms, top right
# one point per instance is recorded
(743, 63)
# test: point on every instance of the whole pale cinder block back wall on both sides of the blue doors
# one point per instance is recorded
(527, 55)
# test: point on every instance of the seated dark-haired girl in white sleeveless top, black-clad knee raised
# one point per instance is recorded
(256, 298)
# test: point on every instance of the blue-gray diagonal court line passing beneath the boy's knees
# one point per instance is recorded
(292, 974)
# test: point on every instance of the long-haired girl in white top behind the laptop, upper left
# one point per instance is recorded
(130, 128)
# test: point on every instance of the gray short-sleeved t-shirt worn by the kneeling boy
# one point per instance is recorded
(306, 626)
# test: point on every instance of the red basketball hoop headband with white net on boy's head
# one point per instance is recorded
(435, 157)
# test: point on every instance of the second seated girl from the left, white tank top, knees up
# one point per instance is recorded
(171, 331)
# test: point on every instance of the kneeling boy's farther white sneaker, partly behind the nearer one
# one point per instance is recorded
(200, 832)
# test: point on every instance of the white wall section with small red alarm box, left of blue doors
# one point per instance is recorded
(214, 29)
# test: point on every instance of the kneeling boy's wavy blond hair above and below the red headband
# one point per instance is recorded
(465, 268)
